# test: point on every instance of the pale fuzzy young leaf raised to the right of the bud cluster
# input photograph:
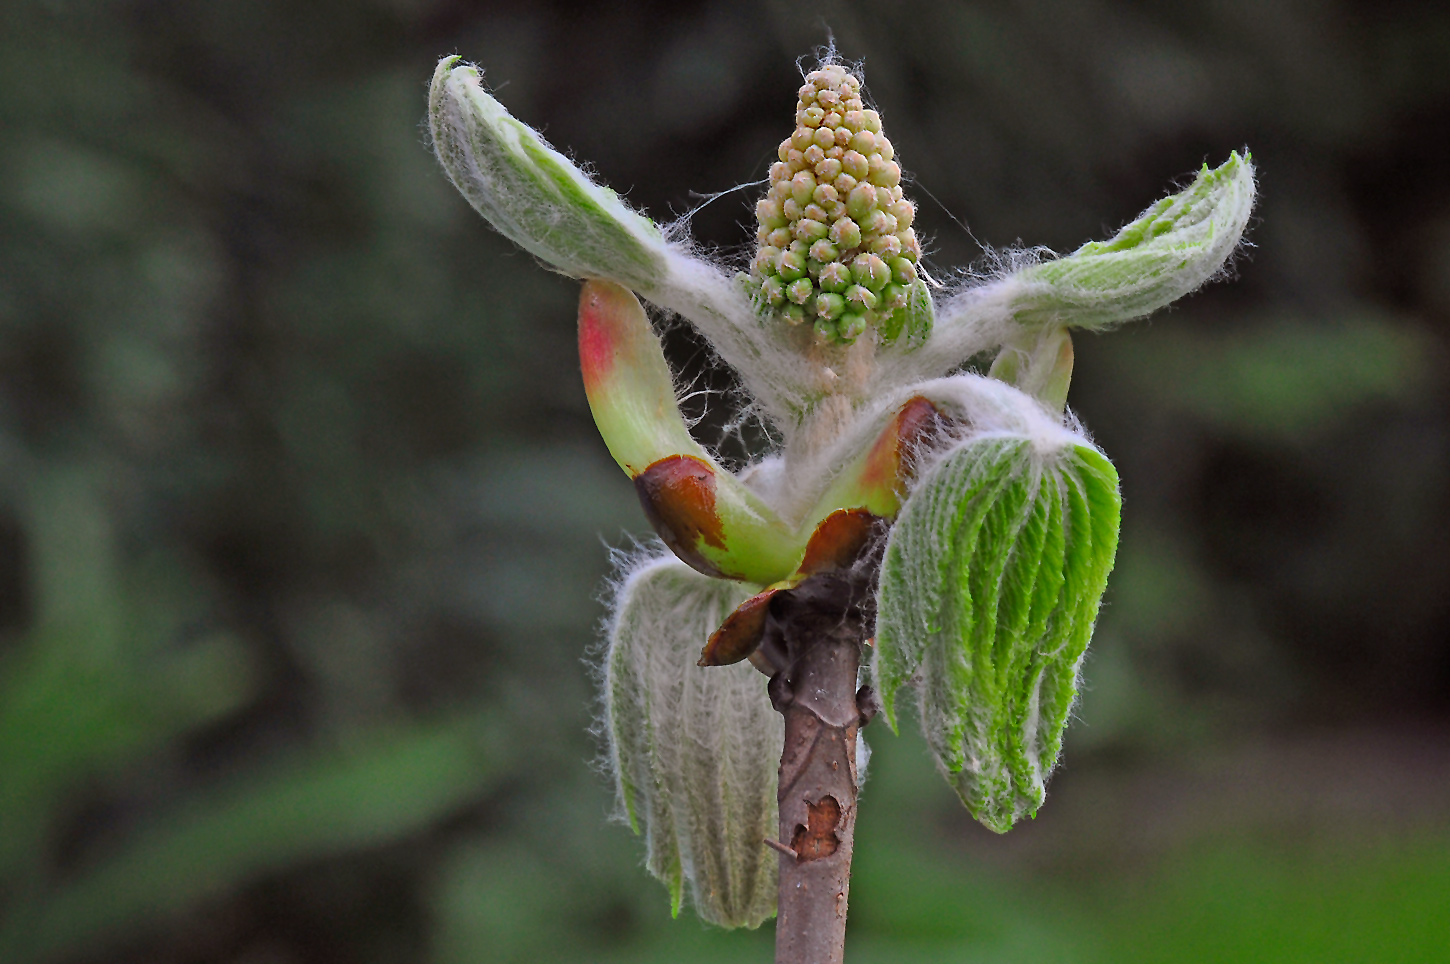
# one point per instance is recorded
(1169, 252)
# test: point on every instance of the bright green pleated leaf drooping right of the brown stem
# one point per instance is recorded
(990, 592)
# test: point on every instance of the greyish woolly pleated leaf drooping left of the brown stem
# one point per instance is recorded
(694, 750)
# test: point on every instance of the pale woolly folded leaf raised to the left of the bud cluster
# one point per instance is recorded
(531, 194)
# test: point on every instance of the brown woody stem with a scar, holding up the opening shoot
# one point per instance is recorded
(816, 639)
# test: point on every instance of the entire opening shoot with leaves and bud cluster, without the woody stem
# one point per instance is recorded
(1001, 514)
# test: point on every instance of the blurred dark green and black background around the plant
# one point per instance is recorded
(304, 520)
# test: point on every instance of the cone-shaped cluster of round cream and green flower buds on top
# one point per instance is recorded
(837, 246)
